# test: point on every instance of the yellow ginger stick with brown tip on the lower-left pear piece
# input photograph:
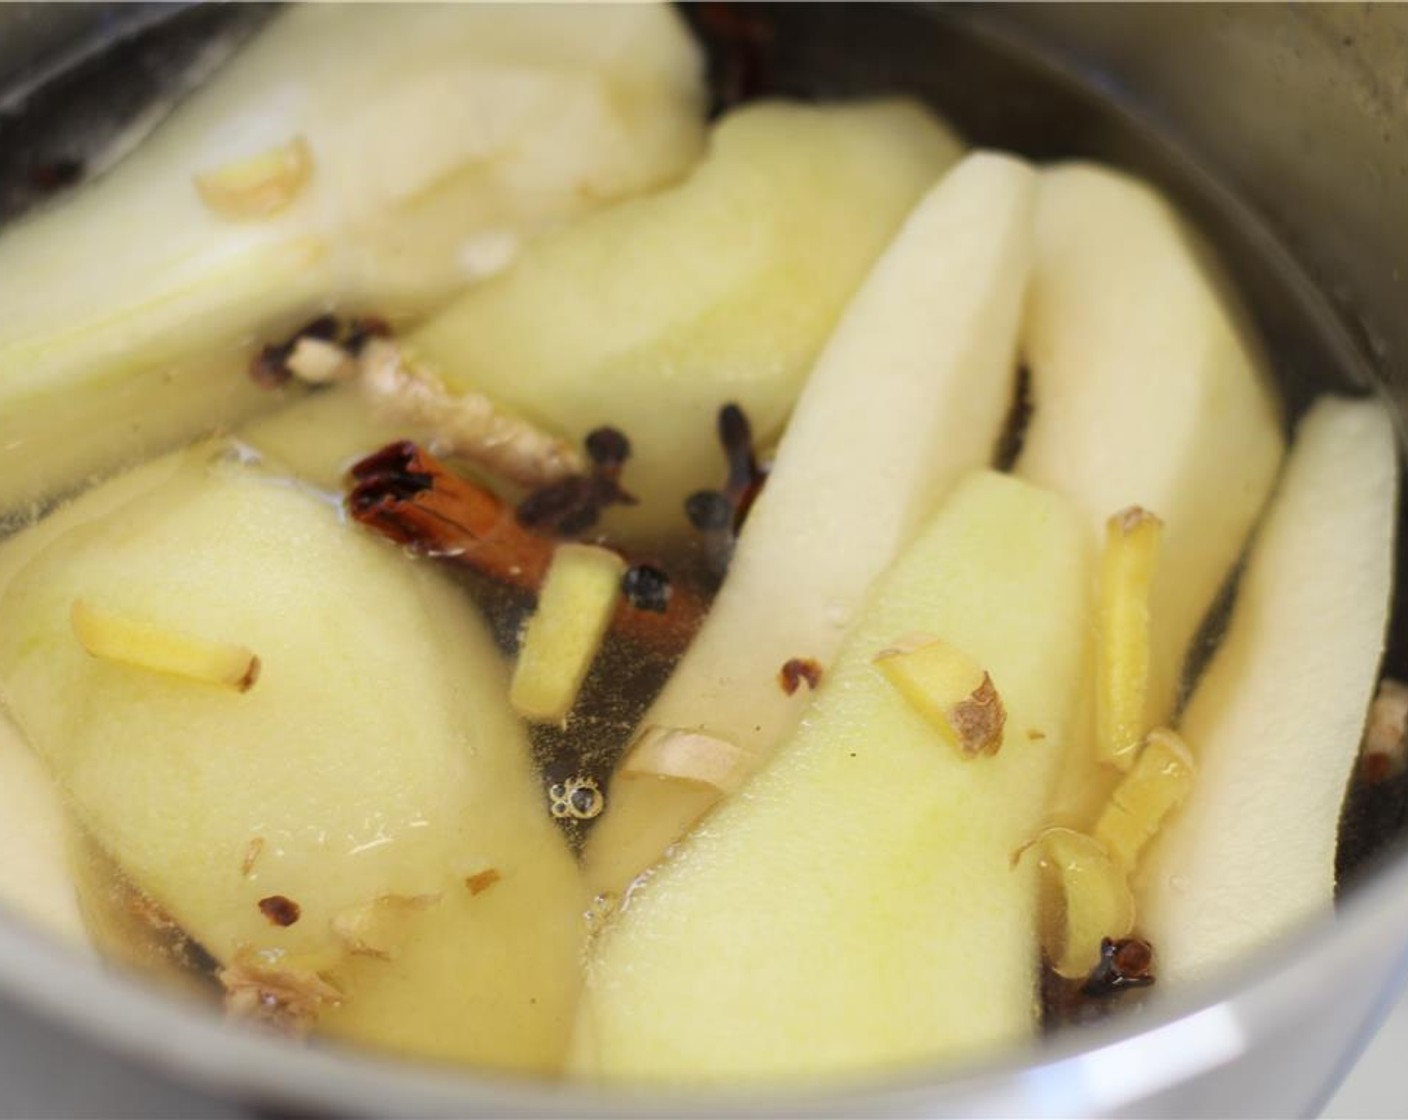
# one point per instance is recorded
(149, 646)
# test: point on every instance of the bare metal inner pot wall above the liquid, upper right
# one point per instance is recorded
(1299, 109)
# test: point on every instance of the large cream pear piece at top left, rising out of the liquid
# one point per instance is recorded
(348, 156)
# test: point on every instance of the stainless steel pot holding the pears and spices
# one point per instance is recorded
(1281, 129)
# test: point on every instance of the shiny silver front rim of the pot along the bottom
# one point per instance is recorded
(1100, 1069)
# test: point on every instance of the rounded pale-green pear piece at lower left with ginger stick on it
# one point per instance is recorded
(377, 757)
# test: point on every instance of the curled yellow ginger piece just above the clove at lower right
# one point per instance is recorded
(1086, 898)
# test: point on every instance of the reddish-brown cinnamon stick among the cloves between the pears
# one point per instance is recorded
(406, 495)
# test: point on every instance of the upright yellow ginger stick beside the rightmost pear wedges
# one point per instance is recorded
(1124, 650)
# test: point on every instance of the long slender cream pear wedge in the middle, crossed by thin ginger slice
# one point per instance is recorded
(910, 392)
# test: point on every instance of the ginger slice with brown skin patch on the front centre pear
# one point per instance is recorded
(950, 690)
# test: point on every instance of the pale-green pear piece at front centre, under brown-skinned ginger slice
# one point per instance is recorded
(857, 907)
